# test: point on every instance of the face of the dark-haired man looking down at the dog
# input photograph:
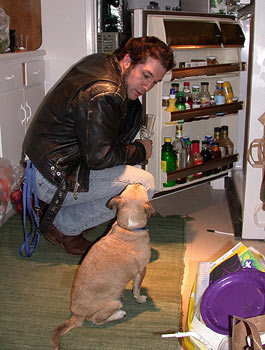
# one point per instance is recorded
(142, 77)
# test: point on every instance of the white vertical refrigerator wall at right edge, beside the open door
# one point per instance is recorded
(253, 177)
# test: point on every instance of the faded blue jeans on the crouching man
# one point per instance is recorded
(89, 209)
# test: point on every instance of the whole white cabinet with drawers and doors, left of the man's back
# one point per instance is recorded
(21, 92)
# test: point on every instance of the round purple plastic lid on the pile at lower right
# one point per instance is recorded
(237, 293)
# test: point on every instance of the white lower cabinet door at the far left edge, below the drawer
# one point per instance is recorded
(12, 125)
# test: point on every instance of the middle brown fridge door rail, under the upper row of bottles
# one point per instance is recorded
(206, 112)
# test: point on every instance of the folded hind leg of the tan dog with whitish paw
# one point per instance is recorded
(111, 312)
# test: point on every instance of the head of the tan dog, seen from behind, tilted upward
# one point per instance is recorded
(133, 207)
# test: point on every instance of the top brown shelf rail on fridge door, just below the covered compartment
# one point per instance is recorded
(180, 73)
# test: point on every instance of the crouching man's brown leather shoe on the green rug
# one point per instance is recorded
(73, 245)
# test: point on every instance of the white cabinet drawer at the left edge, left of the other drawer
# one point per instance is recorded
(10, 77)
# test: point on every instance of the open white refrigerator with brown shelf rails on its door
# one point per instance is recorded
(238, 43)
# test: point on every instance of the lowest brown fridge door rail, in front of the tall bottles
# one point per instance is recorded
(173, 175)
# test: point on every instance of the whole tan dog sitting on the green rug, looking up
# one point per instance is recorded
(111, 263)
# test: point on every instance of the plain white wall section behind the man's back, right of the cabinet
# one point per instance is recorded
(68, 34)
